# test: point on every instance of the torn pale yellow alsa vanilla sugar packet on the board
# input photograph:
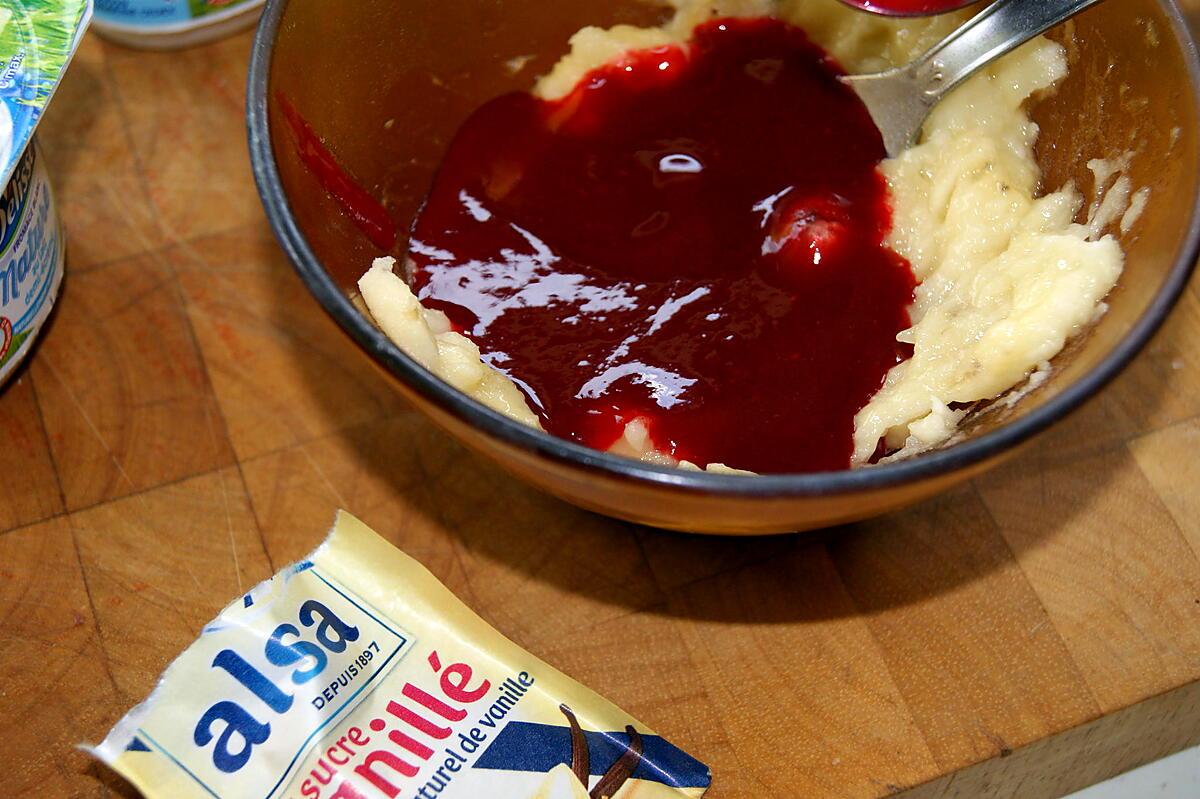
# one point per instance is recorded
(356, 675)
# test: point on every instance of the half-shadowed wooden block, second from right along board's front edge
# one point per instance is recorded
(970, 696)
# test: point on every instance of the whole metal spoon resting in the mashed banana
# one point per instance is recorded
(899, 100)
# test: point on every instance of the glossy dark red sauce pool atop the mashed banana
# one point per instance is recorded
(693, 237)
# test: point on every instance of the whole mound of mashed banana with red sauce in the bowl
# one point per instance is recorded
(686, 245)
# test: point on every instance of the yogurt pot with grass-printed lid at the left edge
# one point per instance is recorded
(38, 39)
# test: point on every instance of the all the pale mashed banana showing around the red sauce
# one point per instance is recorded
(1006, 278)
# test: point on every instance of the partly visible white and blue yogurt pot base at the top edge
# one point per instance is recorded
(170, 25)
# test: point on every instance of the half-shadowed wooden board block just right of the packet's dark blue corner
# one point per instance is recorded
(800, 682)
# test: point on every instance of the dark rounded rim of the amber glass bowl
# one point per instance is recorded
(536, 442)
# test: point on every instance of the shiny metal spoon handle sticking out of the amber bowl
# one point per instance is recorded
(1000, 28)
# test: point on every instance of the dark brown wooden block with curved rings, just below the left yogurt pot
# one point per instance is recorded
(122, 387)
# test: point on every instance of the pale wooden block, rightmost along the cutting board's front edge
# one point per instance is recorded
(1115, 574)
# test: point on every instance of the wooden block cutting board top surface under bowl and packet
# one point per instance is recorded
(193, 420)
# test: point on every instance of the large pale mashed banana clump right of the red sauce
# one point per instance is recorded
(1005, 278)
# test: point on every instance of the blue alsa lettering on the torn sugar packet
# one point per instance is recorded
(238, 730)
